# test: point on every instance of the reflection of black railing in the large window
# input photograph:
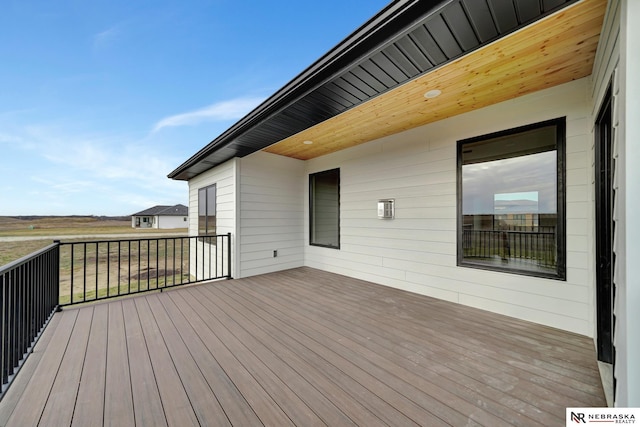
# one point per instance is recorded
(539, 247)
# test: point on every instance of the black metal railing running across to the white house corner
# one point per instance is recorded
(97, 270)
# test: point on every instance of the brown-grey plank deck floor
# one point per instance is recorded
(300, 347)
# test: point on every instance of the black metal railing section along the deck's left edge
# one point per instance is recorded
(28, 299)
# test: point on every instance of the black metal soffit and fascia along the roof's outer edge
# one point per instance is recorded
(403, 41)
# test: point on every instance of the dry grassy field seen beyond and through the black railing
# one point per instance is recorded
(95, 270)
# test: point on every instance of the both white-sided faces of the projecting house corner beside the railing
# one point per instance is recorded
(260, 201)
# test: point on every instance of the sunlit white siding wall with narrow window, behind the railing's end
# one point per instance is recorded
(224, 176)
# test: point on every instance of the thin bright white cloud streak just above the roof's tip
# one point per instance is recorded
(233, 109)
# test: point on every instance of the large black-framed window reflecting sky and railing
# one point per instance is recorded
(512, 200)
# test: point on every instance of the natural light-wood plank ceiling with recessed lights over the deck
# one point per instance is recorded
(555, 50)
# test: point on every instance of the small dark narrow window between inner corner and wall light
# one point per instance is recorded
(324, 208)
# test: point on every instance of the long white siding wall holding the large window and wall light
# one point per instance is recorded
(416, 251)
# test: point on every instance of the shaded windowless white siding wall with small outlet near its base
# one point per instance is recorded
(271, 198)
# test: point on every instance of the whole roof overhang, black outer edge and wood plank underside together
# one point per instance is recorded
(373, 83)
